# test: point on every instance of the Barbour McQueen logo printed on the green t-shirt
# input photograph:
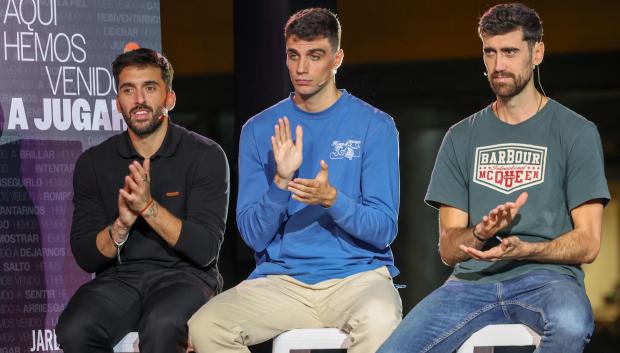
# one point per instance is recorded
(509, 167)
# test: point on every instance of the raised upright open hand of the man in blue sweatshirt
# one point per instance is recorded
(288, 155)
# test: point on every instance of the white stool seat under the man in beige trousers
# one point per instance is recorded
(310, 338)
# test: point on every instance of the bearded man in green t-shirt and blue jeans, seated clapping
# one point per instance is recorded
(520, 188)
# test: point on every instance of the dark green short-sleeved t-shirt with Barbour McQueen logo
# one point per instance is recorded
(555, 156)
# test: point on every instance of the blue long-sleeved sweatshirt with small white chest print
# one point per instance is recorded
(314, 243)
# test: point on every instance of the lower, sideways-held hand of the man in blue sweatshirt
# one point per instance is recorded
(315, 191)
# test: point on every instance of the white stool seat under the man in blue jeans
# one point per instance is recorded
(484, 340)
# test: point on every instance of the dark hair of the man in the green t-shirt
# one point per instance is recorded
(505, 18)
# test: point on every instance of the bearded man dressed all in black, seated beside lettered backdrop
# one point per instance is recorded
(149, 215)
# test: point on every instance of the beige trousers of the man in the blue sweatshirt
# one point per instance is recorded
(365, 305)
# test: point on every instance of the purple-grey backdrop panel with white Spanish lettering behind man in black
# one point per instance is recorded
(56, 100)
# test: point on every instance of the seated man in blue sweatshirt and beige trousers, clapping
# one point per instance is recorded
(318, 206)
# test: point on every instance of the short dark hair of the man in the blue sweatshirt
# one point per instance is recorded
(313, 23)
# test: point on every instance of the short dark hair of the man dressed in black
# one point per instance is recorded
(142, 57)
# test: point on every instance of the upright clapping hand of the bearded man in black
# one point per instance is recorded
(139, 181)
